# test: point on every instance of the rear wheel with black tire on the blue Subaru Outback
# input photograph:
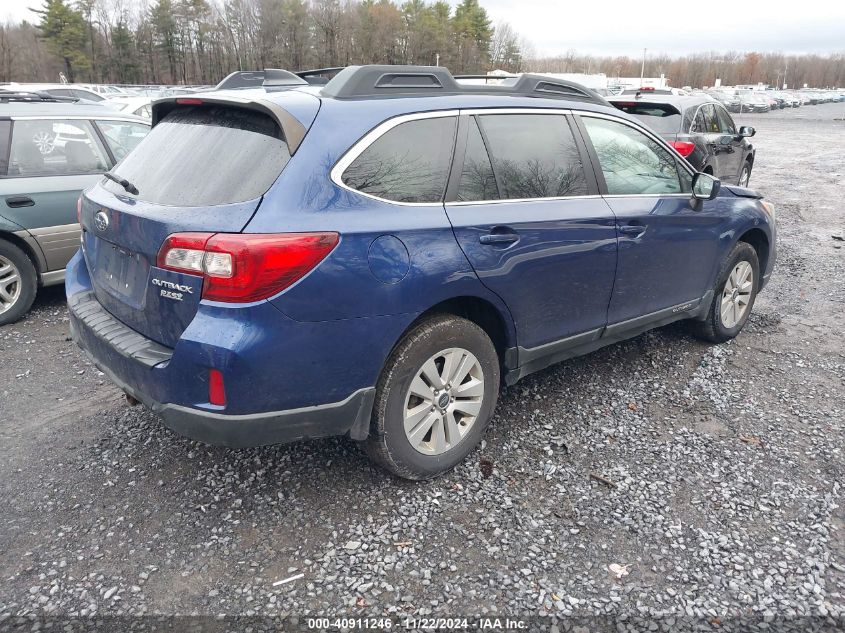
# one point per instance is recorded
(434, 399)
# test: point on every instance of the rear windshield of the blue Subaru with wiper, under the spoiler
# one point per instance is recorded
(203, 156)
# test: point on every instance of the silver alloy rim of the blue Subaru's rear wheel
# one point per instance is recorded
(443, 401)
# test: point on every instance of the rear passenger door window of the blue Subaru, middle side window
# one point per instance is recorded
(533, 155)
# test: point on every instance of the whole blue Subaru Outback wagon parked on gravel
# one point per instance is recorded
(378, 255)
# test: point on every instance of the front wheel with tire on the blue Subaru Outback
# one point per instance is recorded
(733, 296)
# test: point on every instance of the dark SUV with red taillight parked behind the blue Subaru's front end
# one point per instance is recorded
(700, 129)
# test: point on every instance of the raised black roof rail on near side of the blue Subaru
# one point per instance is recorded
(388, 81)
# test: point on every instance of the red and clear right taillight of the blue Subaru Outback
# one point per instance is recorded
(245, 267)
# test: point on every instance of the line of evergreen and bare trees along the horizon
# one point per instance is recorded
(198, 42)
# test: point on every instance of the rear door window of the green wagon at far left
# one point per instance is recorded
(46, 147)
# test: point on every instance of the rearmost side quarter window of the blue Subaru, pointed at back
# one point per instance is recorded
(408, 163)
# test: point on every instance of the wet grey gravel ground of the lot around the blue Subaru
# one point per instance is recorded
(658, 477)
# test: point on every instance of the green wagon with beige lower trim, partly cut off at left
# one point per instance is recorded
(49, 153)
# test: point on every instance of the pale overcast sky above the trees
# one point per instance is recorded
(625, 27)
